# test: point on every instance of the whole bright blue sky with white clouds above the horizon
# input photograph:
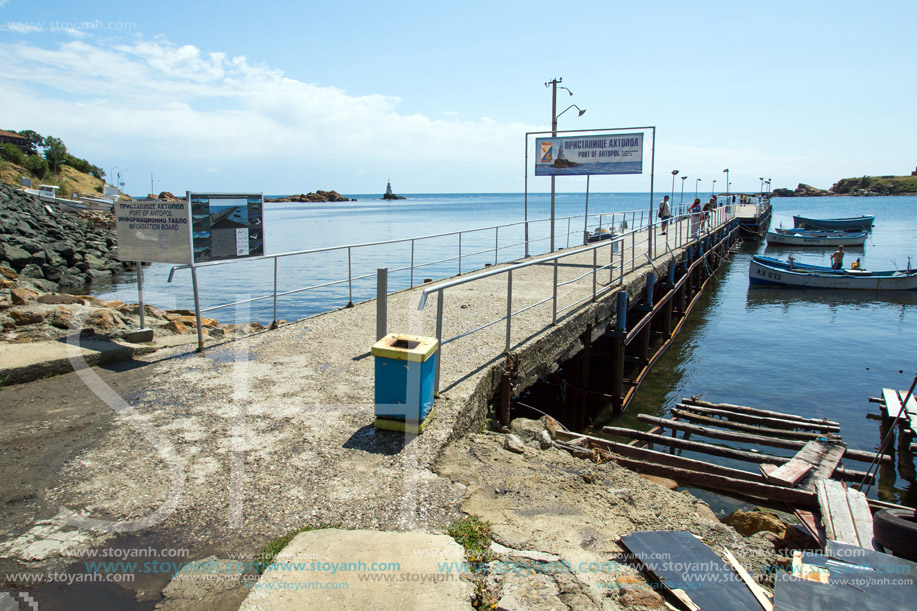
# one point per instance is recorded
(284, 97)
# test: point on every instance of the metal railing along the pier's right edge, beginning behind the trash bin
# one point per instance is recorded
(680, 230)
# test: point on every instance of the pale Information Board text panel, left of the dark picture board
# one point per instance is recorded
(153, 231)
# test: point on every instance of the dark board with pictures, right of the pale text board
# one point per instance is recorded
(226, 225)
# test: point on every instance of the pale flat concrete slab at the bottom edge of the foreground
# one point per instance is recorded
(363, 569)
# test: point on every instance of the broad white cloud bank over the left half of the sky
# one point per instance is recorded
(179, 105)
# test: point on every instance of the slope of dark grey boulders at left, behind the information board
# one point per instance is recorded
(55, 248)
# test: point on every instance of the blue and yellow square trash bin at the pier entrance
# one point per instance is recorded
(404, 381)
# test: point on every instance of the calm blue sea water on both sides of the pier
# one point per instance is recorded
(814, 353)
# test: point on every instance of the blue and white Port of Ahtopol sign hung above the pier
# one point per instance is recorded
(595, 154)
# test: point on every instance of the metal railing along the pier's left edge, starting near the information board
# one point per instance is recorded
(621, 221)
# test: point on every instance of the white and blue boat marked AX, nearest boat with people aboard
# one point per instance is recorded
(769, 271)
